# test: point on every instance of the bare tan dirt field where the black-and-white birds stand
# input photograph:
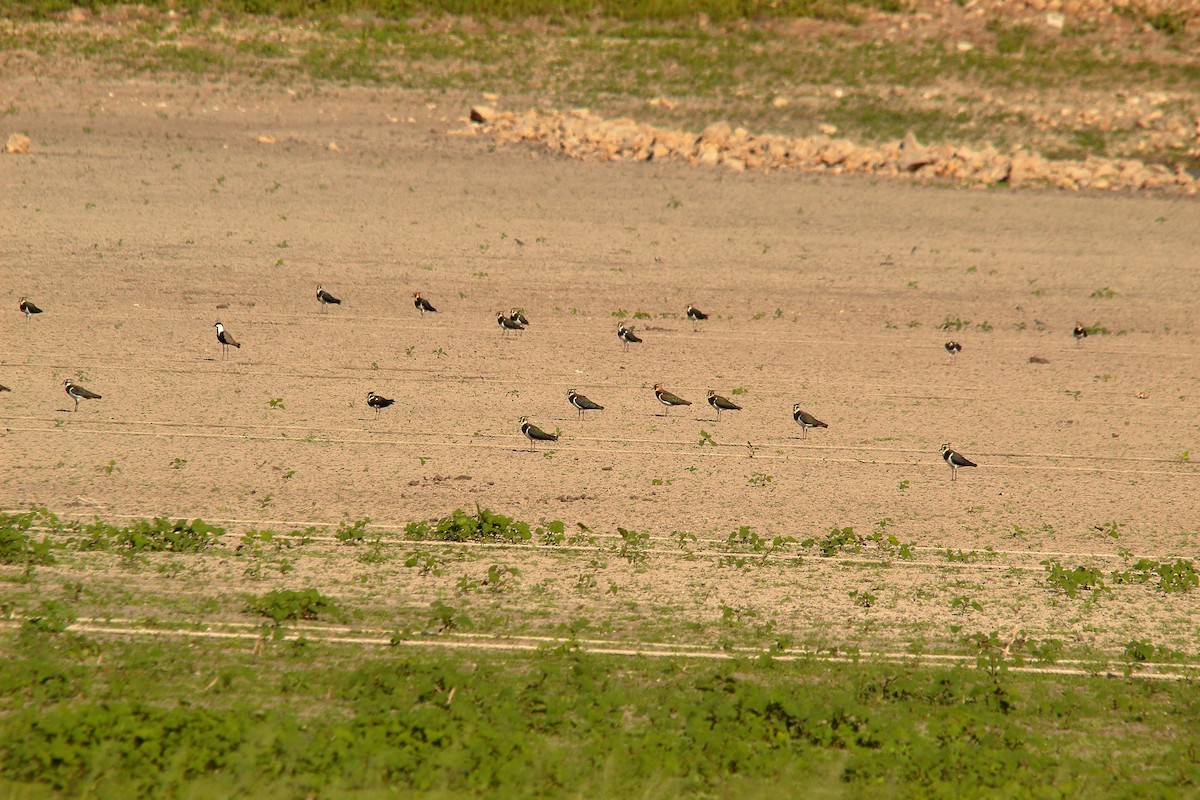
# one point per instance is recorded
(148, 212)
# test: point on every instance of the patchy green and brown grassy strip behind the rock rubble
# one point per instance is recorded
(873, 92)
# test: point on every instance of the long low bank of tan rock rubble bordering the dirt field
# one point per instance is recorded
(580, 135)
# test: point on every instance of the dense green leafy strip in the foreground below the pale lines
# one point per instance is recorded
(164, 719)
